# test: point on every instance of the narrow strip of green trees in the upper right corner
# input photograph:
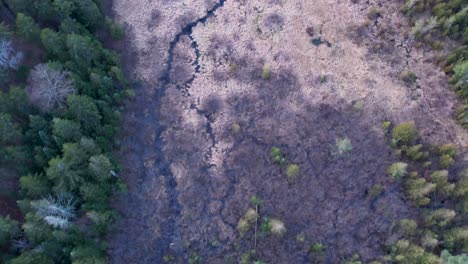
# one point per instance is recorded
(436, 20)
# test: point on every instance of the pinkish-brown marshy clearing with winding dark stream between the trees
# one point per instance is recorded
(197, 138)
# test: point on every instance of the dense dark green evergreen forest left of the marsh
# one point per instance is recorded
(58, 120)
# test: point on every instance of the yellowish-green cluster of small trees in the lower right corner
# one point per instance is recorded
(439, 233)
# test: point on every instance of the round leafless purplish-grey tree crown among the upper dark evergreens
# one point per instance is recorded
(48, 88)
